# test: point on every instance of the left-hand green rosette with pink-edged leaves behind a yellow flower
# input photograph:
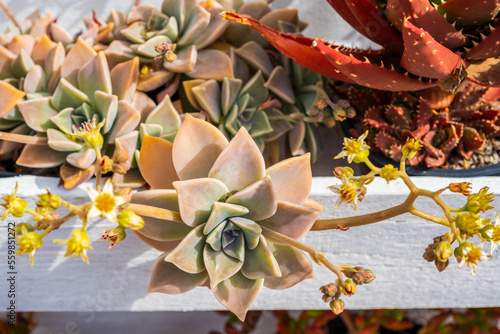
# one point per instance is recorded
(86, 93)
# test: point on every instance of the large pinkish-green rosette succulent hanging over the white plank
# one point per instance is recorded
(228, 203)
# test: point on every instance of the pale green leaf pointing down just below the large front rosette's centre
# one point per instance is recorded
(219, 265)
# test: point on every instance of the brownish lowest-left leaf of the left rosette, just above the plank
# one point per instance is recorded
(40, 156)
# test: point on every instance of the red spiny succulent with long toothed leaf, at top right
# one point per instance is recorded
(425, 43)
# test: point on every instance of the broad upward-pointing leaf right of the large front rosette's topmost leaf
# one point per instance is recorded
(240, 164)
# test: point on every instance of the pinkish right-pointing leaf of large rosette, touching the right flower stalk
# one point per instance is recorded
(291, 219)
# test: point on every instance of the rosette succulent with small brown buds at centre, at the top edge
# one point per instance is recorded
(173, 41)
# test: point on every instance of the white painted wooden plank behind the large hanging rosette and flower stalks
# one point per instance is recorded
(116, 279)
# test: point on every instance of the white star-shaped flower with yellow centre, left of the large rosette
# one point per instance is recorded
(105, 203)
